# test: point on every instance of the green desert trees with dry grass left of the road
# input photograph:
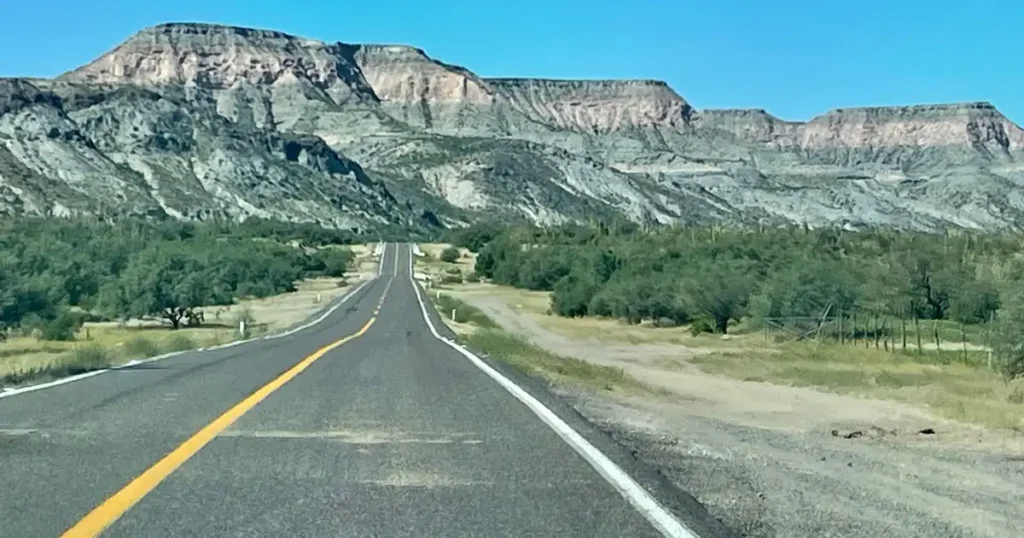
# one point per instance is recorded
(68, 281)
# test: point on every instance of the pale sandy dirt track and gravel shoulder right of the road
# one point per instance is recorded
(764, 459)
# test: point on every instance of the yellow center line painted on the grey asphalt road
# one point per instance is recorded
(115, 507)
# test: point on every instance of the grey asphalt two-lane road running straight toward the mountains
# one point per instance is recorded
(363, 425)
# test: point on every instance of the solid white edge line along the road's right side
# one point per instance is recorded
(658, 515)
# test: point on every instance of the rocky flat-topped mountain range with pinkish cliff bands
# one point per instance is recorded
(193, 121)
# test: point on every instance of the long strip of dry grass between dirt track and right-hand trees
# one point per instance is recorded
(944, 382)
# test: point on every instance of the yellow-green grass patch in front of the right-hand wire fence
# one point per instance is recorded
(953, 389)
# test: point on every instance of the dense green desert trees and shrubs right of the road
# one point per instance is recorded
(903, 293)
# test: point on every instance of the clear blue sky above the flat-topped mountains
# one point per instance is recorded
(796, 59)
